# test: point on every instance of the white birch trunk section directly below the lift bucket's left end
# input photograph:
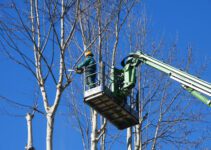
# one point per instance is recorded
(94, 131)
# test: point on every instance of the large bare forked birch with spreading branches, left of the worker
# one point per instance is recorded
(41, 36)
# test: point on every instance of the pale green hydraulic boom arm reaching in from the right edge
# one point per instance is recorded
(191, 83)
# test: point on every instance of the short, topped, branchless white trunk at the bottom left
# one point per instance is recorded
(29, 145)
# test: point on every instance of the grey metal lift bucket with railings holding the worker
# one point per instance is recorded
(103, 98)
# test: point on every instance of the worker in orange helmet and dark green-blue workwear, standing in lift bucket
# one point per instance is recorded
(89, 67)
